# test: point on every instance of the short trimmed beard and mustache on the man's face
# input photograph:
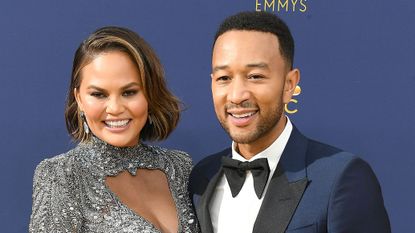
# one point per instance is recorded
(266, 123)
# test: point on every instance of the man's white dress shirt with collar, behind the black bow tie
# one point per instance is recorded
(238, 214)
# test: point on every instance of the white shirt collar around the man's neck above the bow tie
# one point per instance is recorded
(273, 152)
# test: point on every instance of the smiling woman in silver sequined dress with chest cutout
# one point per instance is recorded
(112, 182)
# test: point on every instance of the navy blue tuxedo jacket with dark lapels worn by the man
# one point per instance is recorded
(315, 188)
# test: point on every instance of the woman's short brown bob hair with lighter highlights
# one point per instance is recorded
(163, 106)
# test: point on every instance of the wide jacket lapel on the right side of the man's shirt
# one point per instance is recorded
(285, 189)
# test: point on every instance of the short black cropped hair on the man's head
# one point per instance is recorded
(262, 22)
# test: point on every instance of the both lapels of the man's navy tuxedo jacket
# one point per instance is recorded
(285, 190)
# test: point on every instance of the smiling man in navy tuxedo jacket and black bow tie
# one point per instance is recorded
(290, 183)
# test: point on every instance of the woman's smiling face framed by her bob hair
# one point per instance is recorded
(111, 96)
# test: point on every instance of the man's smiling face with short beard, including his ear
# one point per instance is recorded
(251, 82)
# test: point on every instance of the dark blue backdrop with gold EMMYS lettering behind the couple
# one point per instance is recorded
(357, 62)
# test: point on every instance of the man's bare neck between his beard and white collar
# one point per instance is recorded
(249, 150)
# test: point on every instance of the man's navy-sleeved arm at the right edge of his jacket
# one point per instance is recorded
(356, 203)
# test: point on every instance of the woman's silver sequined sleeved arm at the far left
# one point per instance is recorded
(54, 209)
